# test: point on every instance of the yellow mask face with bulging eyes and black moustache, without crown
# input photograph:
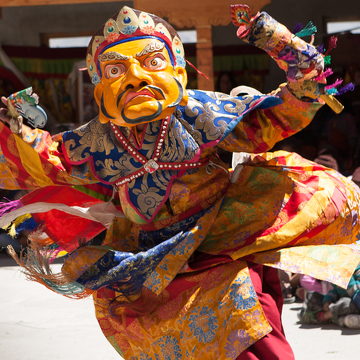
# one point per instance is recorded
(139, 84)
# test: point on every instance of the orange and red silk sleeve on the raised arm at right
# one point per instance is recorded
(260, 130)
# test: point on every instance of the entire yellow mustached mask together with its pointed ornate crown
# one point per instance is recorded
(136, 62)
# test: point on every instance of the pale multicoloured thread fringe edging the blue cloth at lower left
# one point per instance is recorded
(36, 267)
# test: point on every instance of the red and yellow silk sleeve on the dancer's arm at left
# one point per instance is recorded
(36, 161)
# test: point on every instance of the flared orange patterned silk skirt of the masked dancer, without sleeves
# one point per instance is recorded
(283, 211)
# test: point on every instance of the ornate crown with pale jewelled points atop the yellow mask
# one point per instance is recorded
(126, 25)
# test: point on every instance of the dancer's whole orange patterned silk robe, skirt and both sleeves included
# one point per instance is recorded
(282, 211)
